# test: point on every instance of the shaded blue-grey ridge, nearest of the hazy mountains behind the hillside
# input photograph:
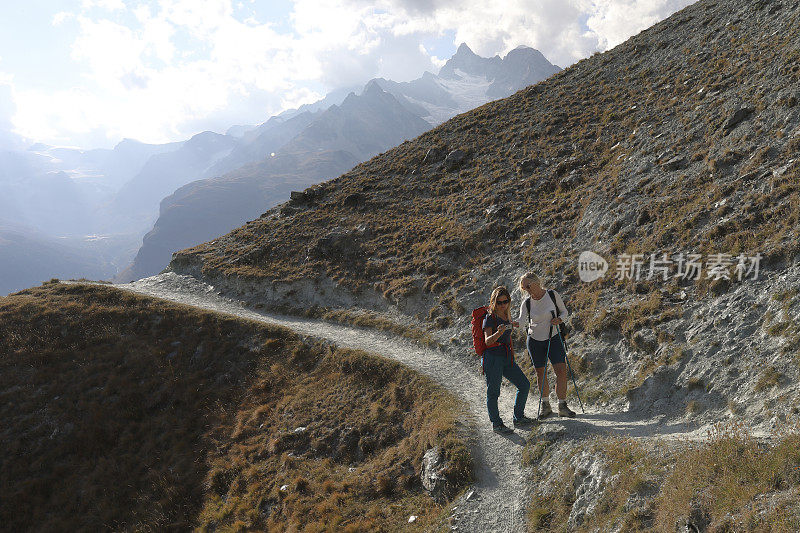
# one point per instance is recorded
(330, 143)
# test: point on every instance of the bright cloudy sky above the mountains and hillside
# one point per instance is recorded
(88, 73)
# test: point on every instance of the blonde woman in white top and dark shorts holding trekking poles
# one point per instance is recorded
(540, 315)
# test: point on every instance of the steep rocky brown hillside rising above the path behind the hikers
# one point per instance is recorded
(681, 140)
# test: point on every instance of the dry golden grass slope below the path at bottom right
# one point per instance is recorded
(730, 482)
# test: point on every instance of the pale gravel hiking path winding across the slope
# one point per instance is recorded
(501, 492)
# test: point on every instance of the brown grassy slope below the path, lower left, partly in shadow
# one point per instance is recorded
(129, 413)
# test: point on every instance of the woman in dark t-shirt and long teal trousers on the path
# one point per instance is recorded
(498, 361)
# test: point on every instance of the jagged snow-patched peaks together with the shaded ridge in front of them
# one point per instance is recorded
(365, 124)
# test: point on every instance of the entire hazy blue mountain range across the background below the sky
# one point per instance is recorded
(179, 194)
